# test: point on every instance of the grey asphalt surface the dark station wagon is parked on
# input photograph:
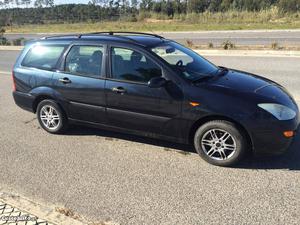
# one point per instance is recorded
(133, 180)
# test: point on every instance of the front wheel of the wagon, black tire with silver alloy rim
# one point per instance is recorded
(219, 149)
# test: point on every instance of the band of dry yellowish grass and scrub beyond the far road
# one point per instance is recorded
(232, 20)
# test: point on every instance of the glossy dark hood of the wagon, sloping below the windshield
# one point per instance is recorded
(242, 82)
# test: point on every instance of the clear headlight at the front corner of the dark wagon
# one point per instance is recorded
(281, 112)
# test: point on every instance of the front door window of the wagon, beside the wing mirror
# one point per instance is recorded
(131, 65)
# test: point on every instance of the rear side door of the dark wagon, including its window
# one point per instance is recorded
(80, 82)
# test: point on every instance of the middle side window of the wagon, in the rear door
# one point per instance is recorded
(85, 60)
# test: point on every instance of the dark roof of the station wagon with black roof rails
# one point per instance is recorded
(142, 39)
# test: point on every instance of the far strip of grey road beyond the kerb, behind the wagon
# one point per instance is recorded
(255, 37)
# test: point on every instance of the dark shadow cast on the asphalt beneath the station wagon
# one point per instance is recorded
(289, 161)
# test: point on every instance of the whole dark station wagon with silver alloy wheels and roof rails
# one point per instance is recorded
(147, 85)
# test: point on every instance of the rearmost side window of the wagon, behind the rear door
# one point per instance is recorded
(43, 56)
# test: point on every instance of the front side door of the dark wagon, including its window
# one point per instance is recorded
(131, 103)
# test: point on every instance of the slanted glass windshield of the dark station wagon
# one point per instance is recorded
(191, 65)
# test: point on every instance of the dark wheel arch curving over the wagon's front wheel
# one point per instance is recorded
(206, 119)
